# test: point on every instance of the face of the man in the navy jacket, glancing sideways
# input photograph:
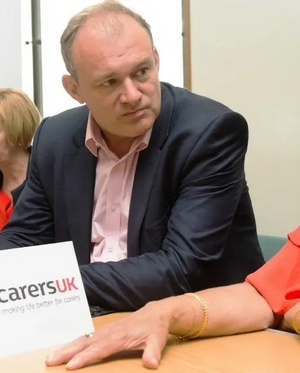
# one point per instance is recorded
(117, 77)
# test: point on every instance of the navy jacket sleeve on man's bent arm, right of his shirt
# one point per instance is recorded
(210, 189)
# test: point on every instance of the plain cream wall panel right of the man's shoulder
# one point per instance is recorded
(246, 54)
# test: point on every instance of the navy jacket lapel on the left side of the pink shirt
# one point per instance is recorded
(80, 170)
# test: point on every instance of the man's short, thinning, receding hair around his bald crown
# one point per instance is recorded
(81, 18)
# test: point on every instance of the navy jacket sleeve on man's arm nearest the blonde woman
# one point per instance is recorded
(32, 219)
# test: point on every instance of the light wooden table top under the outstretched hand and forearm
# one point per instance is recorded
(260, 352)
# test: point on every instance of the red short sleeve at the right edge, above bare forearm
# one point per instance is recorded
(278, 281)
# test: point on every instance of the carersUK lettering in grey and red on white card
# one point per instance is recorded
(37, 290)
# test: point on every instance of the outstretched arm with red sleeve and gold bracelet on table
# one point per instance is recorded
(270, 297)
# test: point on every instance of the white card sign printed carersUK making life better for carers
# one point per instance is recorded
(42, 298)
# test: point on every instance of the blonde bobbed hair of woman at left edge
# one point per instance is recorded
(20, 117)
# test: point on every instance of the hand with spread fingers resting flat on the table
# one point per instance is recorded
(146, 329)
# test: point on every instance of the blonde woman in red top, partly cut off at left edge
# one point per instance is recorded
(19, 118)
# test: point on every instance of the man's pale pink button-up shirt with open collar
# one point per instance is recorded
(112, 194)
